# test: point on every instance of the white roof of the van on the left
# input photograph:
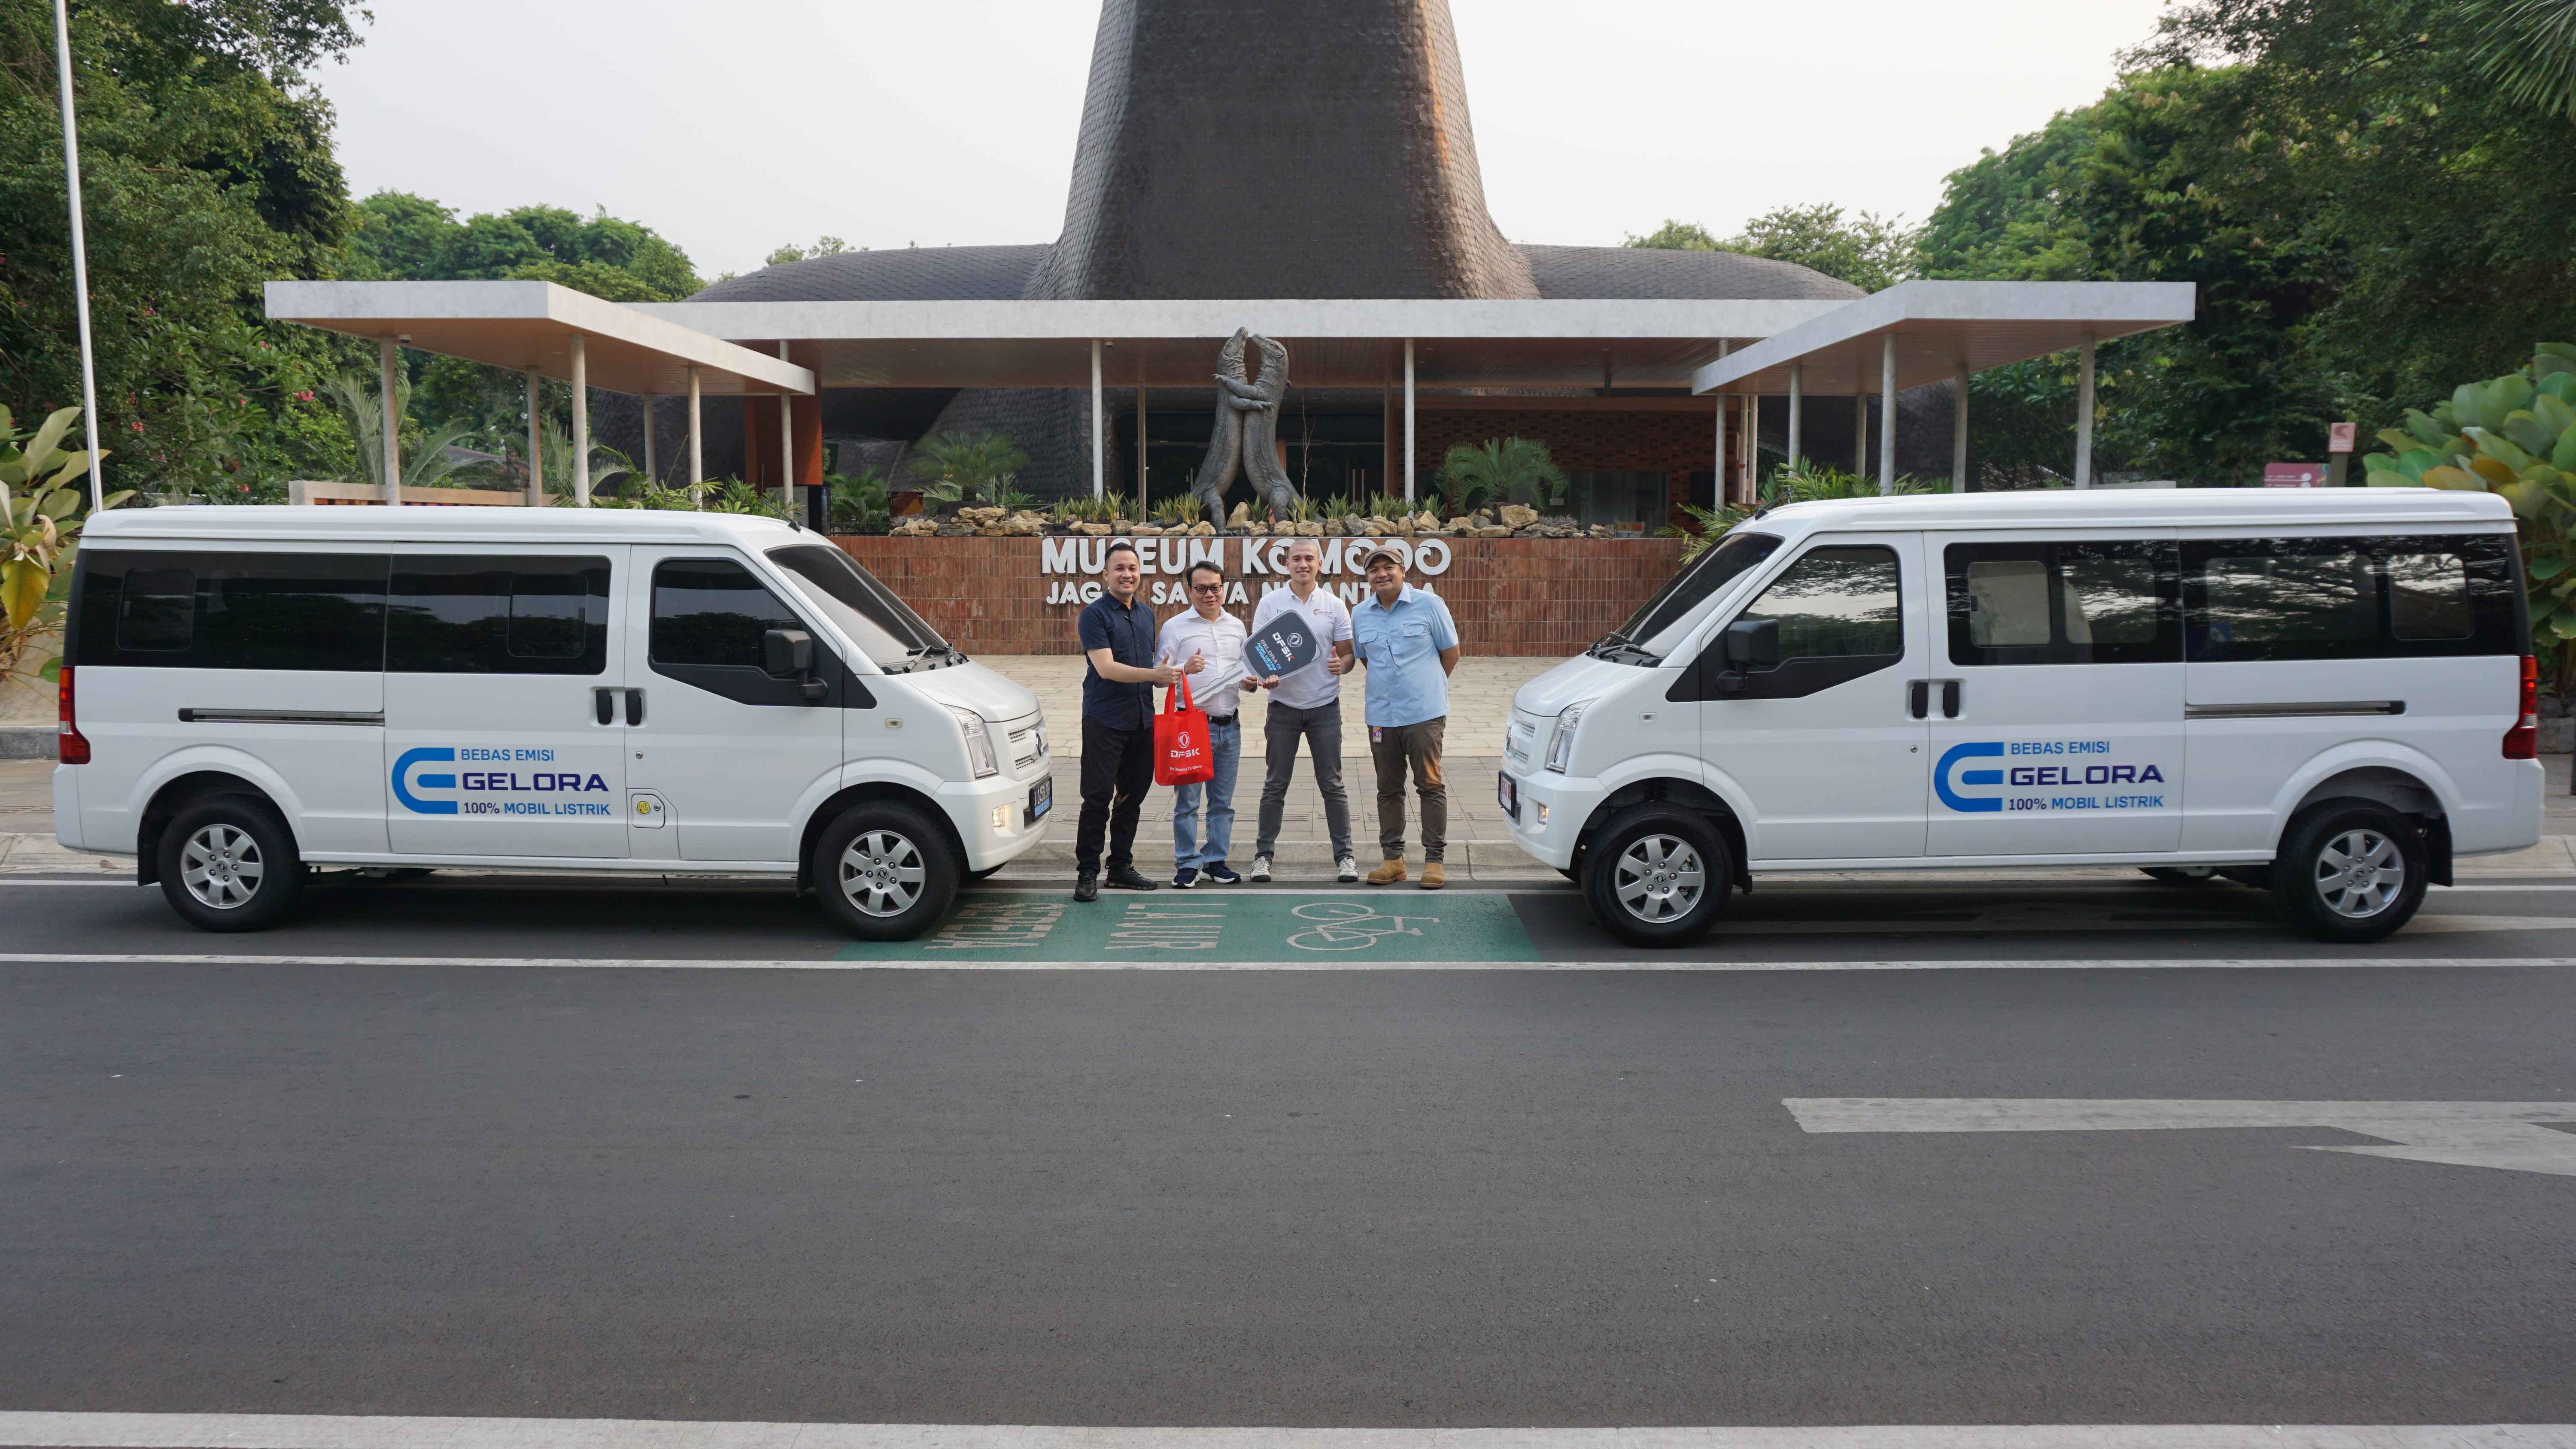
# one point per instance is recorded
(462, 526)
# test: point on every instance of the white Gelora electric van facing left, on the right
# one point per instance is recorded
(2327, 694)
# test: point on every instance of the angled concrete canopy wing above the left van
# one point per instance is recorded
(529, 326)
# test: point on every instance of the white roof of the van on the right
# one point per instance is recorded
(2150, 508)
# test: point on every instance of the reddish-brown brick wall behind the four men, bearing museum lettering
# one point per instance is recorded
(1511, 596)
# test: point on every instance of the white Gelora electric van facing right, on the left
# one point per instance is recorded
(254, 691)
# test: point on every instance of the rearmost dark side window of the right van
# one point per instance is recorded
(2353, 598)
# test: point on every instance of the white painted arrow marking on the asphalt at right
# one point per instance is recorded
(2459, 1134)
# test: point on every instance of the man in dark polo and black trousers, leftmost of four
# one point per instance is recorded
(1117, 724)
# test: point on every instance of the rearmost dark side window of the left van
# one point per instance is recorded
(231, 611)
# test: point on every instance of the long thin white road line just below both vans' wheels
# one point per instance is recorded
(1660, 964)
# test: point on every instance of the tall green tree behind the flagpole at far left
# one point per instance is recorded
(207, 171)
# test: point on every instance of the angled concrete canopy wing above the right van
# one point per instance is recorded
(1941, 328)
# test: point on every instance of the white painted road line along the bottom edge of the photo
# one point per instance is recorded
(383, 1432)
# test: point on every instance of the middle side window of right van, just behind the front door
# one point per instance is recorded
(2065, 604)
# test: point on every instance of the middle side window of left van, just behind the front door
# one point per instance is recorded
(498, 614)
